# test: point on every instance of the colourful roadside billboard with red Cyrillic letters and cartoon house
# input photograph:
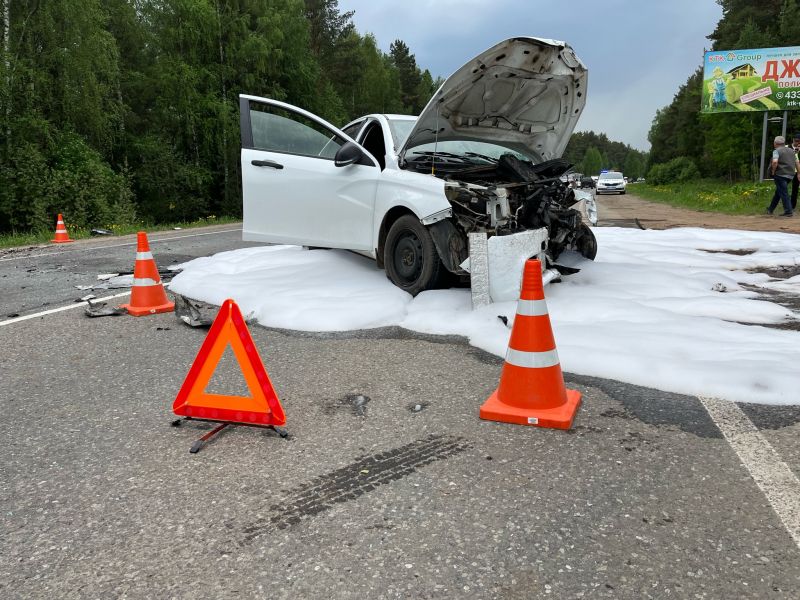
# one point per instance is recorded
(751, 80)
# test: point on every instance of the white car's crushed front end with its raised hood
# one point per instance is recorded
(495, 132)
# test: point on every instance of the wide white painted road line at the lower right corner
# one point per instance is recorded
(776, 480)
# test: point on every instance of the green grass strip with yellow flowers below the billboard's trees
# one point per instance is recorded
(710, 196)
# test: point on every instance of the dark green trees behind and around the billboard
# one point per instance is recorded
(688, 144)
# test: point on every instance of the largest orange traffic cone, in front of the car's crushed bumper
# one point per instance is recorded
(531, 390)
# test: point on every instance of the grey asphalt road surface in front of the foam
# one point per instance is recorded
(99, 496)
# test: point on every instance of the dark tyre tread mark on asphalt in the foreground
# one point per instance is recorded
(350, 482)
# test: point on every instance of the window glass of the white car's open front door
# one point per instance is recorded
(277, 130)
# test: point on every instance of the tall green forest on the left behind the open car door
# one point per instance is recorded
(116, 110)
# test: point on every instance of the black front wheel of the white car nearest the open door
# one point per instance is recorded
(410, 257)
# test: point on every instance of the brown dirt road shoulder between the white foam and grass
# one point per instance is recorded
(625, 209)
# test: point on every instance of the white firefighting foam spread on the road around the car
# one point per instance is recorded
(656, 308)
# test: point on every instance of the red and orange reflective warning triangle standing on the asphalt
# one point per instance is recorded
(261, 408)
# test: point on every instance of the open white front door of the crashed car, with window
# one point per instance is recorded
(303, 181)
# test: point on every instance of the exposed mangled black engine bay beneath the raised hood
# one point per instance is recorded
(503, 196)
